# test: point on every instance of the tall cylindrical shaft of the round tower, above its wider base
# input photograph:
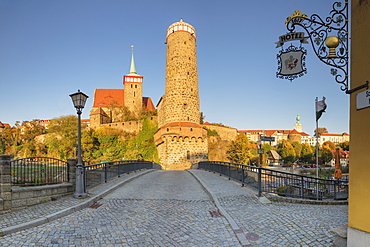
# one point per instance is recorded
(182, 97)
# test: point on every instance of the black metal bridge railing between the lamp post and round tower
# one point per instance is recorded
(102, 172)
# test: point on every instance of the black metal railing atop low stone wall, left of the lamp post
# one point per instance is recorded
(38, 171)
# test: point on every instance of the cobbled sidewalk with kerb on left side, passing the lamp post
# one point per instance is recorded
(45, 212)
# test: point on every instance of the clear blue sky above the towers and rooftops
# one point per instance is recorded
(50, 49)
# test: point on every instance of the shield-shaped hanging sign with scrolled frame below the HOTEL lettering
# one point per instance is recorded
(291, 63)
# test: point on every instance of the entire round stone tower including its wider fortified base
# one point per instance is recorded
(180, 139)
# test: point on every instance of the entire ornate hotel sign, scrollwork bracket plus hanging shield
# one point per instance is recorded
(329, 39)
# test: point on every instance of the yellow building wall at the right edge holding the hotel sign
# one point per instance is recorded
(359, 183)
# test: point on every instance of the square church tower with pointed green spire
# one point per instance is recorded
(133, 93)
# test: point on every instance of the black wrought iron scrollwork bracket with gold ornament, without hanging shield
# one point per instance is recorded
(329, 39)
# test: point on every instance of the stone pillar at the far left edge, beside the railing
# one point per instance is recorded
(5, 182)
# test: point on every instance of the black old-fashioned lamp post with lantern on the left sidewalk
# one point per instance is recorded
(79, 100)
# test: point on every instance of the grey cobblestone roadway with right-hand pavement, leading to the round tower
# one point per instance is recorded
(170, 208)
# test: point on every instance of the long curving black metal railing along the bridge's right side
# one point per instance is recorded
(281, 183)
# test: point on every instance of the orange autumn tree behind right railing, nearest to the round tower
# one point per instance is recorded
(239, 150)
